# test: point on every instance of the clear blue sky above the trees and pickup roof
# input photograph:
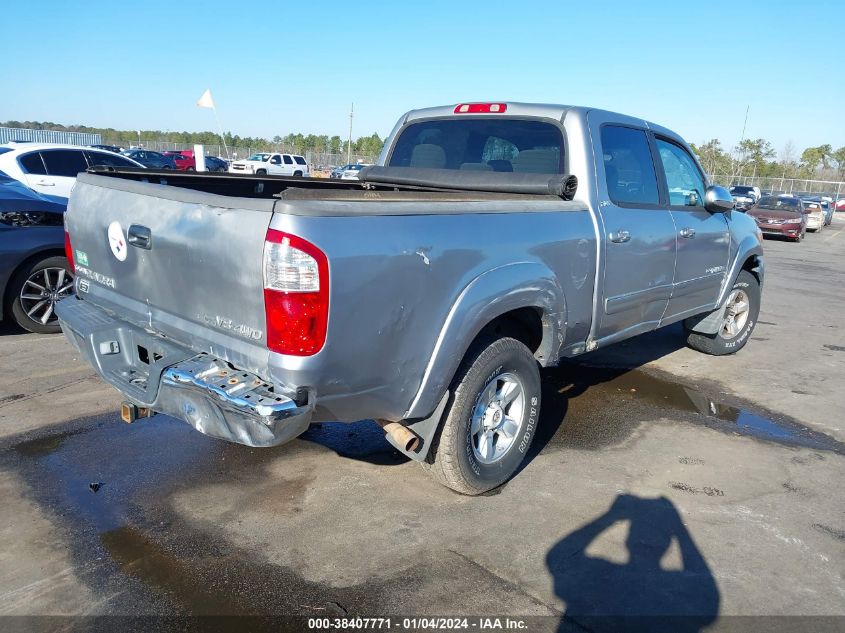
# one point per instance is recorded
(280, 67)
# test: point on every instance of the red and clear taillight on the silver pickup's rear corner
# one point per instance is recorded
(296, 294)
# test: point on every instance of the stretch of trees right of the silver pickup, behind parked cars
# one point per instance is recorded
(757, 157)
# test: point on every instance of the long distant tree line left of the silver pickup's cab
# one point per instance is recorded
(299, 143)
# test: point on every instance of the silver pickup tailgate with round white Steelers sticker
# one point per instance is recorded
(194, 270)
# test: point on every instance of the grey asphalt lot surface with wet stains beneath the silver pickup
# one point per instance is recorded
(661, 482)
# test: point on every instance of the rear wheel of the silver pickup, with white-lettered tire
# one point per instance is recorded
(488, 372)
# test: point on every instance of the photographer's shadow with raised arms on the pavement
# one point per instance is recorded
(640, 594)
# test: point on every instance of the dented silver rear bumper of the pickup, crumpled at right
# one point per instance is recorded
(210, 394)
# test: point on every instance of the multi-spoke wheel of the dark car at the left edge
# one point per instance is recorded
(22, 297)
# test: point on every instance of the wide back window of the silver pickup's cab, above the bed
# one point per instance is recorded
(486, 144)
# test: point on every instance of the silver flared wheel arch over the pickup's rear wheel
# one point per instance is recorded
(488, 296)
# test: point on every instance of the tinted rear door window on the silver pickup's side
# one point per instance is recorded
(628, 166)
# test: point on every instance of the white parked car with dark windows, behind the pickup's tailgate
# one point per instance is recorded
(51, 169)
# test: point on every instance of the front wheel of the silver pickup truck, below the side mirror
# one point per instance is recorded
(727, 340)
